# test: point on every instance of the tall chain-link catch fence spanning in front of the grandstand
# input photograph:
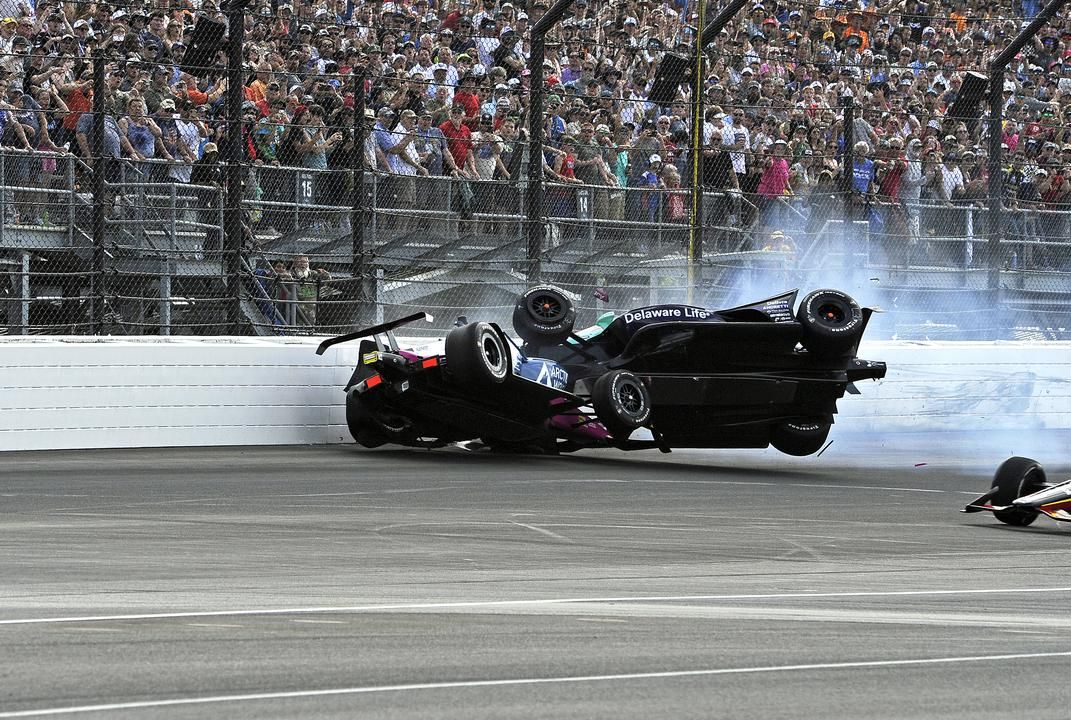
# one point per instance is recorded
(848, 149)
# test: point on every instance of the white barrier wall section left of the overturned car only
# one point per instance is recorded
(100, 393)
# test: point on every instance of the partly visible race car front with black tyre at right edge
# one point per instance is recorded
(1021, 493)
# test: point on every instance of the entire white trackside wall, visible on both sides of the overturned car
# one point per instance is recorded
(85, 393)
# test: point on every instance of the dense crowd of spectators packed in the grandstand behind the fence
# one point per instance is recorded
(448, 89)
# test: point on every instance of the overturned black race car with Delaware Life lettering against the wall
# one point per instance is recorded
(746, 378)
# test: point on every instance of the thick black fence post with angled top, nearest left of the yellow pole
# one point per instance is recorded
(535, 209)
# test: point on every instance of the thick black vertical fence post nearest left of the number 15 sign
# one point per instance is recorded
(233, 236)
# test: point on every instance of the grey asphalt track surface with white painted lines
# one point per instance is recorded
(330, 582)
